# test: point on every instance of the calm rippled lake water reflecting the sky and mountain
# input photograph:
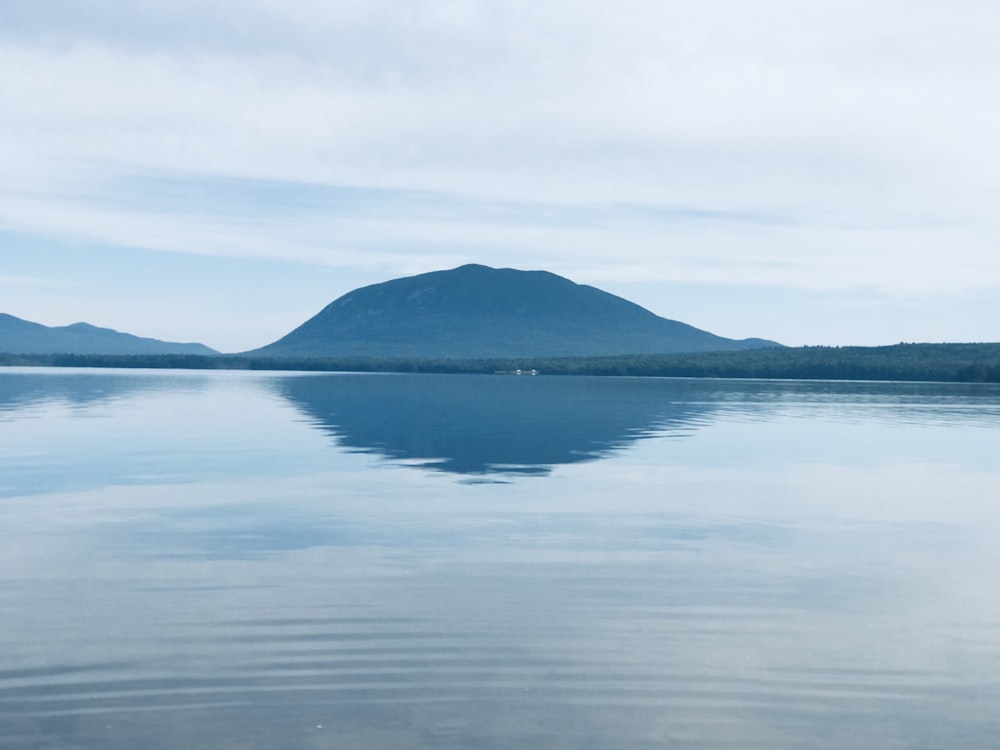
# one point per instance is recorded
(242, 560)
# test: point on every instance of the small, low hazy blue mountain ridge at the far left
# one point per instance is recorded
(24, 337)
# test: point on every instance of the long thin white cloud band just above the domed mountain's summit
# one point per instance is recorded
(411, 231)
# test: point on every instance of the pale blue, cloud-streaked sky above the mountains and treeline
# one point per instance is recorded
(820, 173)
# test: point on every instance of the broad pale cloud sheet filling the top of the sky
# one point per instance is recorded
(656, 98)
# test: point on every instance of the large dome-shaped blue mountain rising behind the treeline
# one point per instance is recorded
(477, 312)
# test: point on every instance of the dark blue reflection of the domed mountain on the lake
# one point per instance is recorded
(500, 424)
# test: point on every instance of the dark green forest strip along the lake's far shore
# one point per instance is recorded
(923, 362)
